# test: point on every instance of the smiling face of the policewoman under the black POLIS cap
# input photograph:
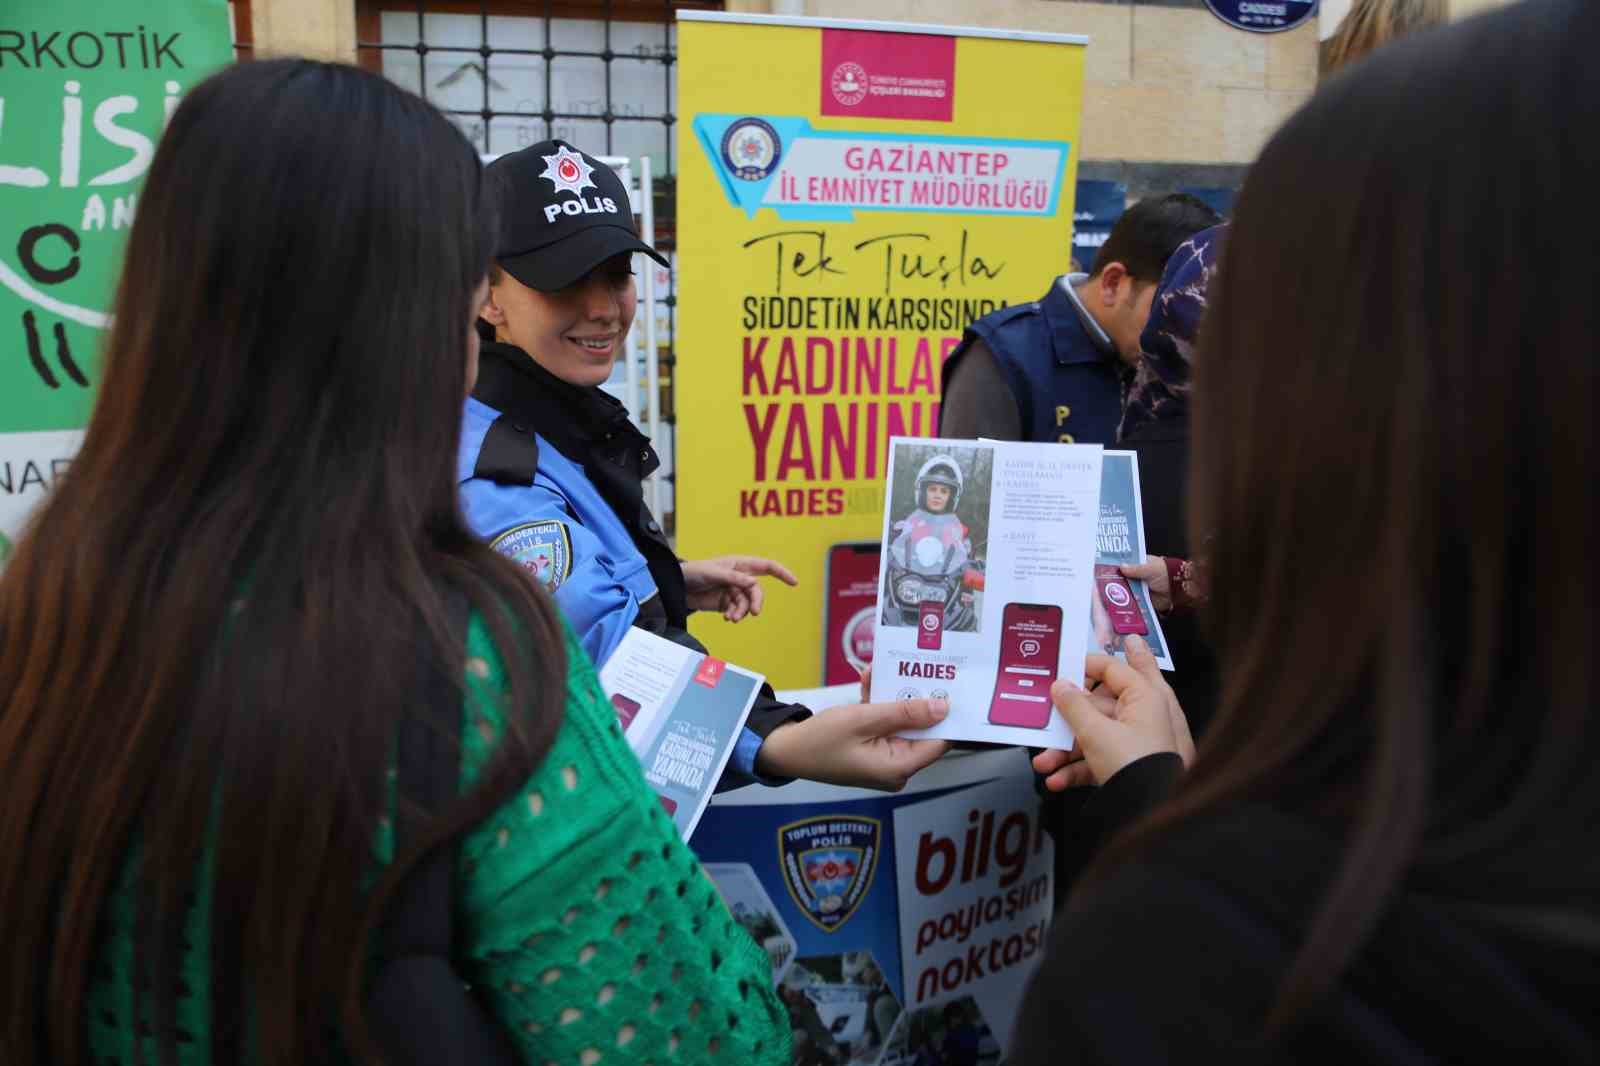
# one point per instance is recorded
(575, 334)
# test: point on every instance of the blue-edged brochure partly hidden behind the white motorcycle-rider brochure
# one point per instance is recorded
(1122, 606)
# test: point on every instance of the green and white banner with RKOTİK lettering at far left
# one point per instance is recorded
(86, 90)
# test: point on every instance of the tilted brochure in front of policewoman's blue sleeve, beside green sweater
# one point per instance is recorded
(681, 713)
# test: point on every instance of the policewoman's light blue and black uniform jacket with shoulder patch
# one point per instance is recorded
(553, 476)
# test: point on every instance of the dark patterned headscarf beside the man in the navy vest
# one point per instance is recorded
(1161, 388)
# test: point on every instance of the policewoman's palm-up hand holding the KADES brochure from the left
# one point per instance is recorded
(857, 747)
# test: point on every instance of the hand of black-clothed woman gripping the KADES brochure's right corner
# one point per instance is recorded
(1127, 713)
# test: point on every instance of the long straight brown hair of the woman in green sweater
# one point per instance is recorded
(214, 627)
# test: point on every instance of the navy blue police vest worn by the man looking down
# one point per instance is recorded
(1068, 383)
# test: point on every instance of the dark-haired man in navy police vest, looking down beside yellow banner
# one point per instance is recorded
(1055, 371)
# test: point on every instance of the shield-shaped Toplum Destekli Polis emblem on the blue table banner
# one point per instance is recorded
(828, 865)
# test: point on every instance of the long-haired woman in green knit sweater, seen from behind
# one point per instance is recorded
(215, 627)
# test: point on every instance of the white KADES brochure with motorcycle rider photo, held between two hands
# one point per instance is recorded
(988, 563)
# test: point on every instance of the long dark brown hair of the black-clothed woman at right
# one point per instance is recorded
(1394, 468)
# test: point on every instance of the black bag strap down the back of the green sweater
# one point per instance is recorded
(418, 1008)
